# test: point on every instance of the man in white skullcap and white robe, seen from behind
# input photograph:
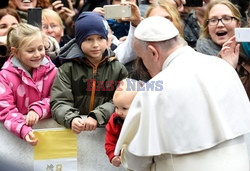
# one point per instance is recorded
(196, 121)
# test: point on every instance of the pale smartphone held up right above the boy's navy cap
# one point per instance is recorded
(116, 11)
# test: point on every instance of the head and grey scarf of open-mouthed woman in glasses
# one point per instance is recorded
(220, 20)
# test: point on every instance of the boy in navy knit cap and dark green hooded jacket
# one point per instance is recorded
(86, 81)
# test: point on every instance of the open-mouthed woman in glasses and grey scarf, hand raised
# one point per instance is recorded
(217, 37)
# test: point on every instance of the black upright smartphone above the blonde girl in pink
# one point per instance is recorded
(35, 17)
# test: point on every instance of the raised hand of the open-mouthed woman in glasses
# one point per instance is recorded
(230, 51)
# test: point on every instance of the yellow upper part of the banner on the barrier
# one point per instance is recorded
(55, 143)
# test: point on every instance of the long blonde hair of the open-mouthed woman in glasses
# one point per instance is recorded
(233, 8)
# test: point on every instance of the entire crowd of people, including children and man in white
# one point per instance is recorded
(191, 102)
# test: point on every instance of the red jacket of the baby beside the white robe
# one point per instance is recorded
(113, 129)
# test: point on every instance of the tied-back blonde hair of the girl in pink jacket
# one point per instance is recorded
(21, 35)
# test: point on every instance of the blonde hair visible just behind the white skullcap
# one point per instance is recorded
(172, 10)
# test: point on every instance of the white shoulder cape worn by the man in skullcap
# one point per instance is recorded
(202, 104)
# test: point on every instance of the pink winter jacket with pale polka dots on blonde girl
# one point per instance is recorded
(19, 93)
